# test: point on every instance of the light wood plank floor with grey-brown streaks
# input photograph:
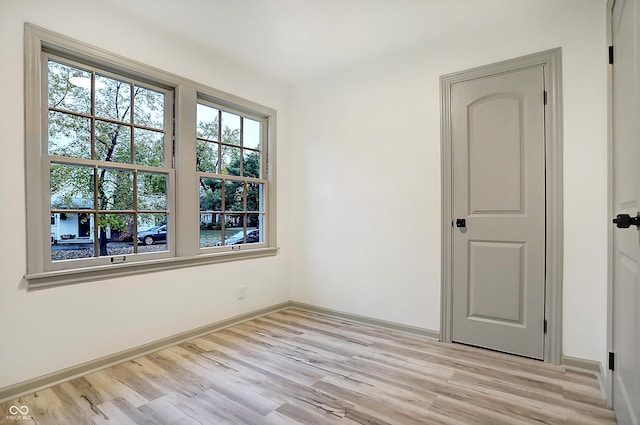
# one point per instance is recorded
(297, 367)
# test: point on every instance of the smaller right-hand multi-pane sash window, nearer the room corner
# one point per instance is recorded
(229, 165)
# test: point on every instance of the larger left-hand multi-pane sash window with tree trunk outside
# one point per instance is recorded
(109, 155)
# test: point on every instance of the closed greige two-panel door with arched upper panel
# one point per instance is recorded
(498, 171)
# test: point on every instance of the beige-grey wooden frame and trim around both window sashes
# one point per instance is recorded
(184, 249)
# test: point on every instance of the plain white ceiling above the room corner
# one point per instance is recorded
(296, 39)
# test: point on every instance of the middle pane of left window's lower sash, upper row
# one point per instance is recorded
(115, 189)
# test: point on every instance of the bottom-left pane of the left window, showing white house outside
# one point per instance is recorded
(72, 236)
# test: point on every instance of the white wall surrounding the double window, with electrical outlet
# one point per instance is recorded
(44, 331)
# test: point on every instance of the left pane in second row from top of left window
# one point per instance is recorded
(69, 135)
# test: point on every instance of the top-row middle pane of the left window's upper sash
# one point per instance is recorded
(113, 99)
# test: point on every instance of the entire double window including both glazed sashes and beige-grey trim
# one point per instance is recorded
(131, 169)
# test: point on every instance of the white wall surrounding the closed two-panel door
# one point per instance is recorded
(366, 172)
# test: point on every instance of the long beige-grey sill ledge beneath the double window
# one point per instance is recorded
(91, 274)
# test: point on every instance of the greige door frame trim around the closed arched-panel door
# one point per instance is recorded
(551, 60)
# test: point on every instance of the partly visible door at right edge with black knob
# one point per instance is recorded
(626, 200)
